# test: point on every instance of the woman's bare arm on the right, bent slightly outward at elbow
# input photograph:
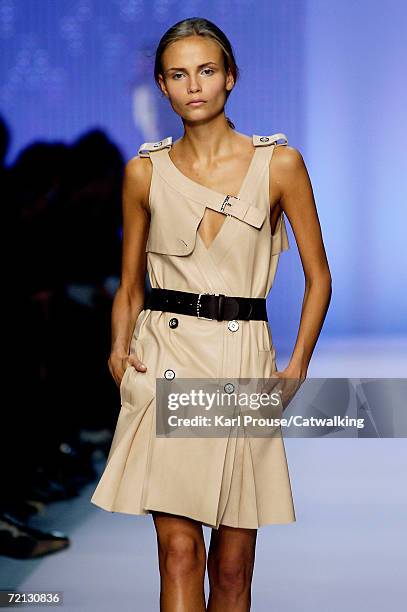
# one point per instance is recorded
(293, 189)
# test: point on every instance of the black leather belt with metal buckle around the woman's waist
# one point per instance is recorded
(210, 306)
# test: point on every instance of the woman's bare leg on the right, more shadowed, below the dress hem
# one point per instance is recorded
(230, 568)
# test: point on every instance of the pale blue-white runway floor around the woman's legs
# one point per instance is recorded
(346, 552)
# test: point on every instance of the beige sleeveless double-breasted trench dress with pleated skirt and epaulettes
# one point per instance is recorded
(235, 481)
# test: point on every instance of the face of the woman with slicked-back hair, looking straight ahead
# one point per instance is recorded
(194, 70)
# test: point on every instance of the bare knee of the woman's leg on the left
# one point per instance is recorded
(182, 555)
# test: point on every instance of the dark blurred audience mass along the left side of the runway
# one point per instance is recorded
(62, 404)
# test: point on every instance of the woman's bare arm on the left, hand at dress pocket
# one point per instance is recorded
(129, 299)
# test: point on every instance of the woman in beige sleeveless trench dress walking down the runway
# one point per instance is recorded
(205, 216)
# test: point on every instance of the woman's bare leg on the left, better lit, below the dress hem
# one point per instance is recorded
(182, 562)
